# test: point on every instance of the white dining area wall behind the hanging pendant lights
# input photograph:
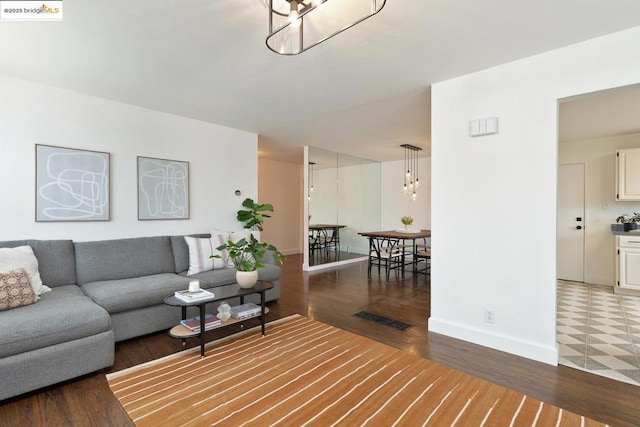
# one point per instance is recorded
(396, 205)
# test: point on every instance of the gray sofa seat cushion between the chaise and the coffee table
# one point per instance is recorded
(134, 293)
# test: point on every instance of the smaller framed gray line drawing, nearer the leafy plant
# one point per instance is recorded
(163, 189)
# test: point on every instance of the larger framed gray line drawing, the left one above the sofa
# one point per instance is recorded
(71, 184)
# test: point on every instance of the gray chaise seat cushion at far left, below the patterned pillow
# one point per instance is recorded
(62, 315)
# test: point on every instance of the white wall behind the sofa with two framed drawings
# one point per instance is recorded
(221, 160)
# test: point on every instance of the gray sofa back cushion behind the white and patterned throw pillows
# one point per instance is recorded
(56, 260)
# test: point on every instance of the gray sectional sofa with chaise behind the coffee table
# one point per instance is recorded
(102, 292)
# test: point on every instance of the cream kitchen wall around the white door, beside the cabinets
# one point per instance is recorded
(601, 208)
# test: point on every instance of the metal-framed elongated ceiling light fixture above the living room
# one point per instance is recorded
(296, 26)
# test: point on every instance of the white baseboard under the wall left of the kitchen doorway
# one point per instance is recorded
(506, 343)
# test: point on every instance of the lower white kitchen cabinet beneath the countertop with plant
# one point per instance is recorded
(628, 271)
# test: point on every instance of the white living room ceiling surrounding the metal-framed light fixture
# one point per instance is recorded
(362, 93)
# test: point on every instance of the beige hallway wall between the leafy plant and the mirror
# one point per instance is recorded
(280, 184)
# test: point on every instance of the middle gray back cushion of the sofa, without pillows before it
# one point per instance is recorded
(123, 258)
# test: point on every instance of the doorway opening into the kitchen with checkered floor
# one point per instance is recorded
(597, 330)
